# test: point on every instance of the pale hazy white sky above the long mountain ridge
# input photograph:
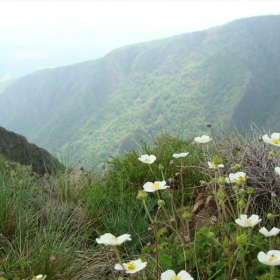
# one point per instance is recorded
(41, 34)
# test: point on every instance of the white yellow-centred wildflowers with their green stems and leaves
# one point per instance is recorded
(221, 238)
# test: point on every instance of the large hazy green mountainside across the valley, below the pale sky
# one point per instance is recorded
(227, 74)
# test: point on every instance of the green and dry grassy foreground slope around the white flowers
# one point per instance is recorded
(49, 225)
